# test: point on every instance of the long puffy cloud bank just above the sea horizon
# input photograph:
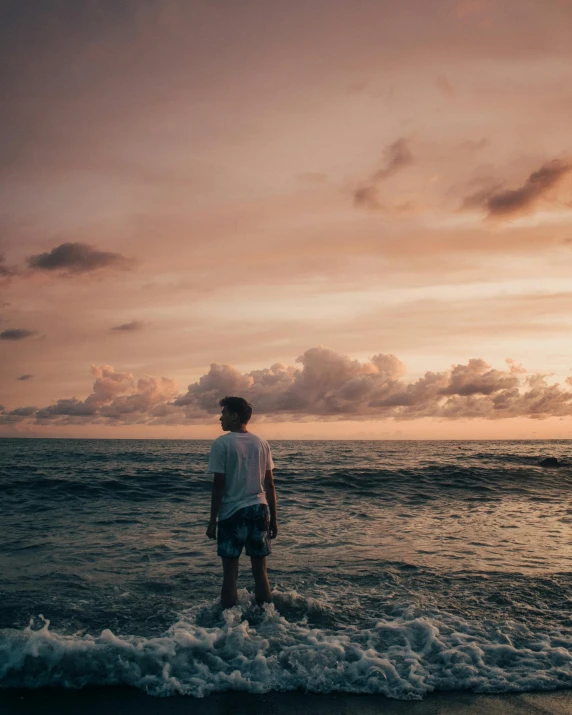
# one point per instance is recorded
(324, 385)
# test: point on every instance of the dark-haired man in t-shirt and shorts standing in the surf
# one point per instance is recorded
(243, 498)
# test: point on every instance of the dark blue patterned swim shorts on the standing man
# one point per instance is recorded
(246, 527)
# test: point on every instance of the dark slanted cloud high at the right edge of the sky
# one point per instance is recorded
(500, 203)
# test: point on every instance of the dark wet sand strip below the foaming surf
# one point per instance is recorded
(122, 700)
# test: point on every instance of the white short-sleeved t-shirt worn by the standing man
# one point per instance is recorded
(244, 459)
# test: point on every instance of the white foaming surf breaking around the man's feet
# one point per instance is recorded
(259, 650)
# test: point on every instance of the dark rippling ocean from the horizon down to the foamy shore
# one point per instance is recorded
(400, 568)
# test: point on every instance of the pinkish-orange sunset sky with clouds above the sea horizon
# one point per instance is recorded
(357, 214)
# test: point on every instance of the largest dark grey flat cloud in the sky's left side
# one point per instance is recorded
(74, 258)
